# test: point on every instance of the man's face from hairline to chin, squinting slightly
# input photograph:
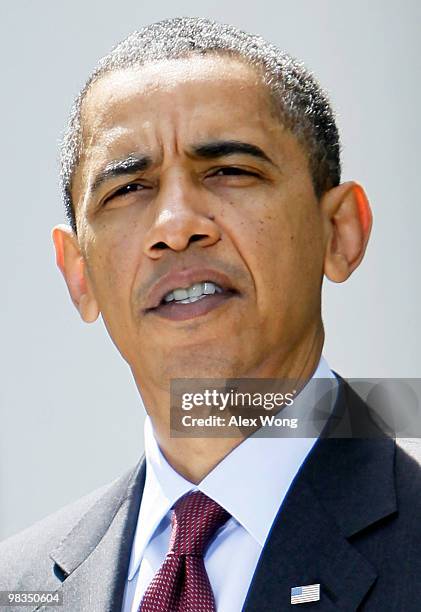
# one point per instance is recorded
(166, 198)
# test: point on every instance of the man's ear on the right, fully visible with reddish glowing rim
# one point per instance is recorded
(347, 222)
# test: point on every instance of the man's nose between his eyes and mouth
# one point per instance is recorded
(181, 217)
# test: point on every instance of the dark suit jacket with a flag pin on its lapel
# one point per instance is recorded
(351, 521)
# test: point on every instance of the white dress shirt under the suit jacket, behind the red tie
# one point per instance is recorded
(250, 483)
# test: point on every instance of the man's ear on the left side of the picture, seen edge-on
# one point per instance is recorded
(72, 265)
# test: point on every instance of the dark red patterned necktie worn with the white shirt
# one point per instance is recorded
(182, 584)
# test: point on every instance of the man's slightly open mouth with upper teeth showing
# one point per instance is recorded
(179, 299)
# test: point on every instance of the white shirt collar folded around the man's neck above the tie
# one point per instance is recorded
(261, 468)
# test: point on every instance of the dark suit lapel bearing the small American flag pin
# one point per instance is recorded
(344, 487)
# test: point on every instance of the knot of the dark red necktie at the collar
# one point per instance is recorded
(195, 520)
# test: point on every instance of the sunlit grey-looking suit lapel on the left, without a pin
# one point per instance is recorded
(93, 559)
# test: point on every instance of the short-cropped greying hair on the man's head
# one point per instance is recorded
(302, 105)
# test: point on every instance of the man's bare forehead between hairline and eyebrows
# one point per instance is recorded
(198, 97)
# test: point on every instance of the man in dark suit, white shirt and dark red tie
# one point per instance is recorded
(201, 178)
